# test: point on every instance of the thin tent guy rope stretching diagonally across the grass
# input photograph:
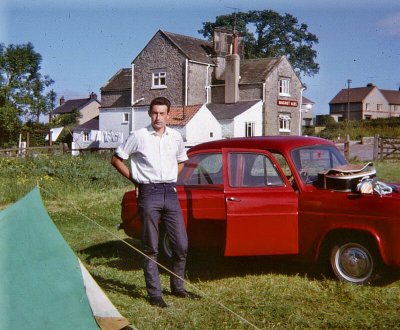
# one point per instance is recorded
(76, 208)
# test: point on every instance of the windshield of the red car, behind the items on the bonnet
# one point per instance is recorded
(310, 161)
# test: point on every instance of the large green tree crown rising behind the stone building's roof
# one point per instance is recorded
(274, 35)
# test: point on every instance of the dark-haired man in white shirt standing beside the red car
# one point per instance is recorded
(156, 155)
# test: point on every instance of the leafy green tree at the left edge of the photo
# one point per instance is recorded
(22, 86)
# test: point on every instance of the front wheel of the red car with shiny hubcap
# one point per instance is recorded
(353, 261)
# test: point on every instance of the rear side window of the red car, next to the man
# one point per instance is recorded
(203, 169)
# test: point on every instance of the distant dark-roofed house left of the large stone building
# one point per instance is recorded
(88, 108)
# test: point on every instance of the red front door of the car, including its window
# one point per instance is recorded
(261, 205)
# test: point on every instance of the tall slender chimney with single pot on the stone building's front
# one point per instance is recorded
(232, 73)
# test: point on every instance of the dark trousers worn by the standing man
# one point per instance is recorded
(158, 202)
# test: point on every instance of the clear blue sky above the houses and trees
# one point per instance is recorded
(84, 43)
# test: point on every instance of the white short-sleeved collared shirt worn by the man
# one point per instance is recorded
(154, 158)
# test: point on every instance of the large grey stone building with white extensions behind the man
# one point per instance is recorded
(246, 97)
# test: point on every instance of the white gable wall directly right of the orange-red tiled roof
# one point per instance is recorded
(202, 127)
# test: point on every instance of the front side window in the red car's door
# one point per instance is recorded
(252, 170)
